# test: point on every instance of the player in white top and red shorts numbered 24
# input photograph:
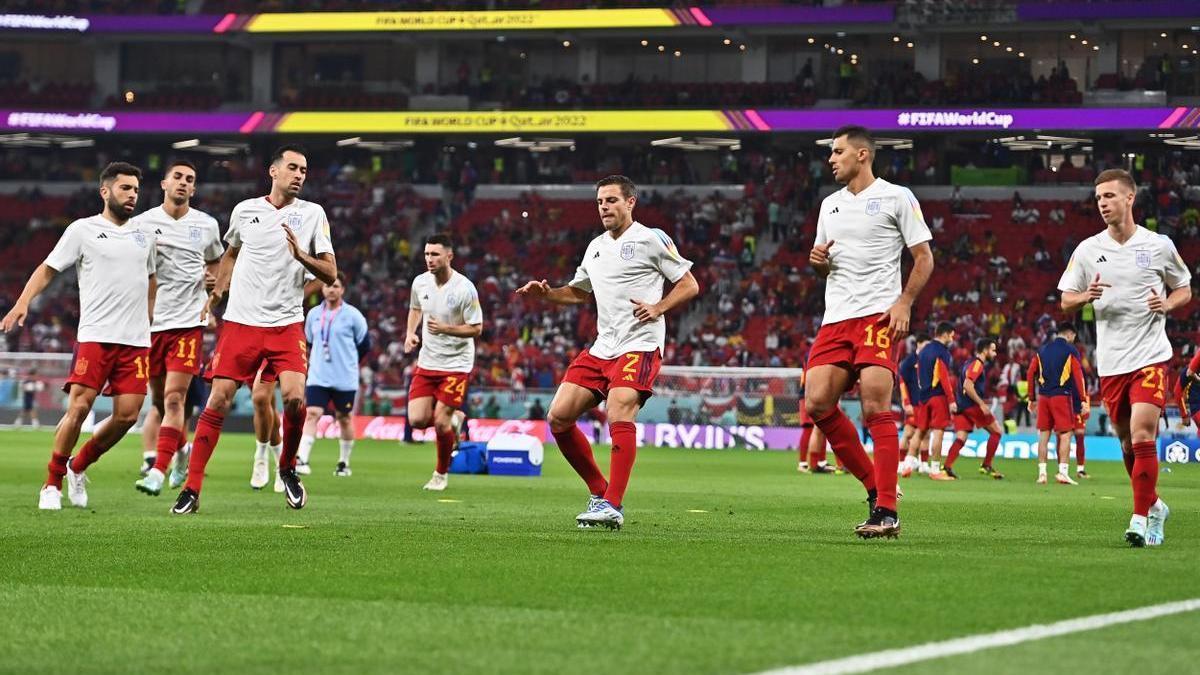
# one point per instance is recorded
(445, 306)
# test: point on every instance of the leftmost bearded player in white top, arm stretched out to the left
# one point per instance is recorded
(116, 266)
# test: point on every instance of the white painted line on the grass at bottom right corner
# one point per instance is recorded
(893, 659)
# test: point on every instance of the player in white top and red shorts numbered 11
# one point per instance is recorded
(188, 250)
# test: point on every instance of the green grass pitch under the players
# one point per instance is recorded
(729, 563)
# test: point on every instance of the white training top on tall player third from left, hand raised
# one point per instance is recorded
(268, 284)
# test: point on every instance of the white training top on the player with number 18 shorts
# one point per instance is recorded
(869, 231)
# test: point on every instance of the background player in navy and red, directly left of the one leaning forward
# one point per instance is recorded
(935, 384)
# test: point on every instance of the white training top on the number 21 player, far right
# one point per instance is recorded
(1129, 336)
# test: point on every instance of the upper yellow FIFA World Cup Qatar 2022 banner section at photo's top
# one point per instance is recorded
(508, 20)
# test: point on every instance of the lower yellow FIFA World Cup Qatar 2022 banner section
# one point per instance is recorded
(508, 122)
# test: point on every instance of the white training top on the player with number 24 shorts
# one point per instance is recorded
(455, 303)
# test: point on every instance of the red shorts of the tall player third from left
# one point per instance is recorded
(242, 350)
